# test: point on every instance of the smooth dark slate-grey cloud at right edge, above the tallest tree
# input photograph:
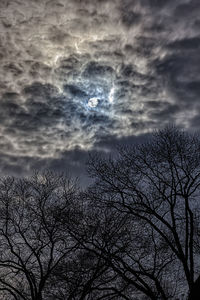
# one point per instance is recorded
(180, 72)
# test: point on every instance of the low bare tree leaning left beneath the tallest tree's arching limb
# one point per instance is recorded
(129, 247)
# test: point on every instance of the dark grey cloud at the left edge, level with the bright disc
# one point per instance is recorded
(40, 109)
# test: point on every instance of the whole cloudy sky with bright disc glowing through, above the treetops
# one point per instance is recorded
(82, 76)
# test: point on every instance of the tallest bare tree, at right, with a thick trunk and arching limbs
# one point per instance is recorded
(157, 183)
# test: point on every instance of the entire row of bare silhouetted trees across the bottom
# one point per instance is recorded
(133, 234)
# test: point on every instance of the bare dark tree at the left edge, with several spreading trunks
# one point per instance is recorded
(32, 240)
